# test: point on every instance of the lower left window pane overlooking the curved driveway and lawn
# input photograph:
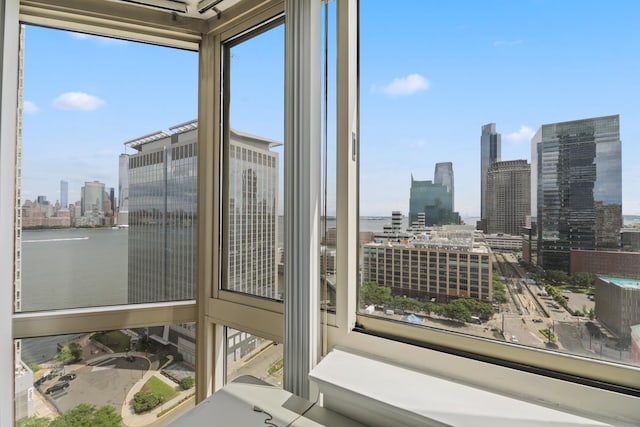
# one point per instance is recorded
(129, 375)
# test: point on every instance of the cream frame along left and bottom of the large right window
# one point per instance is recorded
(535, 375)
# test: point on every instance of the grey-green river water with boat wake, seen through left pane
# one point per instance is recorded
(73, 268)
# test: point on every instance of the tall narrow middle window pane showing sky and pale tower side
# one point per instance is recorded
(254, 202)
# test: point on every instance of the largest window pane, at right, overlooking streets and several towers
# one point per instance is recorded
(533, 242)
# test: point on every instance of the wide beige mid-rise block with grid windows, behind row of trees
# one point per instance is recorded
(447, 264)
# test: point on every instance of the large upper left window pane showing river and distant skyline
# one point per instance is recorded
(107, 209)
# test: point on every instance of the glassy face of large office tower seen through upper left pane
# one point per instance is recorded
(162, 215)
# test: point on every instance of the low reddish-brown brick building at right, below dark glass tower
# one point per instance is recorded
(612, 263)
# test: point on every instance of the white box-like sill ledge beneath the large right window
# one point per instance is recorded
(379, 393)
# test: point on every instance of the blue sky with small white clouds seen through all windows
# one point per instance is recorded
(432, 73)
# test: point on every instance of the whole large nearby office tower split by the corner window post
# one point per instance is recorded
(163, 223)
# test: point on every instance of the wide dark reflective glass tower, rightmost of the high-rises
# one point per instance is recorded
(580, 188)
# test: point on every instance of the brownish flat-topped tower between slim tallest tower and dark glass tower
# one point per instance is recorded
(508, 196)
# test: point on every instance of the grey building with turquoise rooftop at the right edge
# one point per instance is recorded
(618, 304)
